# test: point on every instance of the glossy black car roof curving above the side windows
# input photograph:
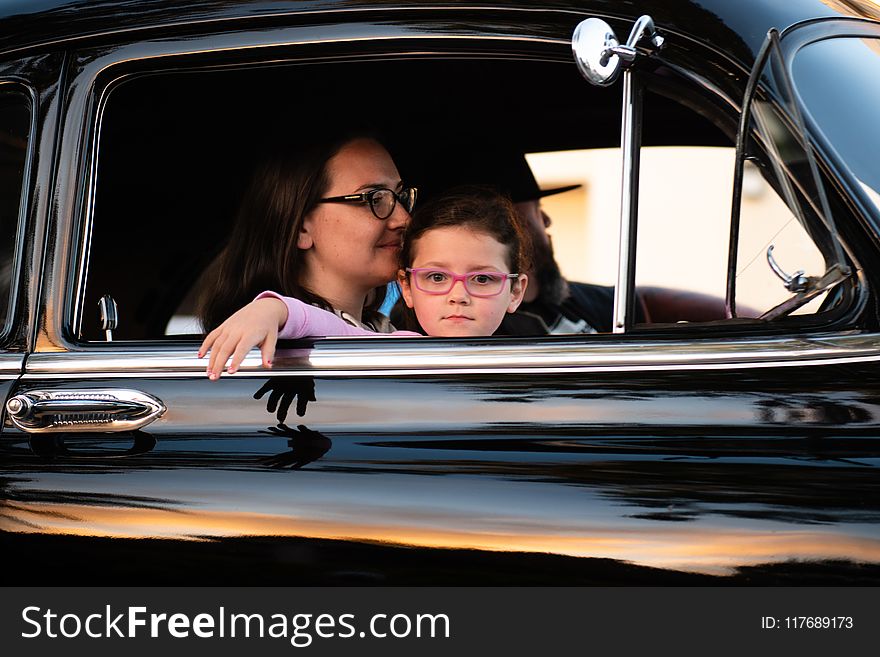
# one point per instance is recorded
(28, 24)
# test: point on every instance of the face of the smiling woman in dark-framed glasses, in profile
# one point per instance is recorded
(346, 248)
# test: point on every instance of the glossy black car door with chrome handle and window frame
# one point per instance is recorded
(674, 454)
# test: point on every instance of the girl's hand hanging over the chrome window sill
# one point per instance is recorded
(255, 325)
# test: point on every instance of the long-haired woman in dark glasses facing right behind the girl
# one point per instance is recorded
(322, 223)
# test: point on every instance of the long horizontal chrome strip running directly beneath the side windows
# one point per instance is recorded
(360, 357)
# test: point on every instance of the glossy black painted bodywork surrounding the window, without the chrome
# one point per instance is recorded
(759, 474)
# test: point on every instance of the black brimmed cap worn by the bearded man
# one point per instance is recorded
(506, 171)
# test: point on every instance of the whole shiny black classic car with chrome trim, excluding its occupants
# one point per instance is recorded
(736, 450)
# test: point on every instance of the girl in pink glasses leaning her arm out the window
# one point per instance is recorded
(460, 271)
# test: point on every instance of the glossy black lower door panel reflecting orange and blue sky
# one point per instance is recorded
(728, 472)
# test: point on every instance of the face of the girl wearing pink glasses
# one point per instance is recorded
(458, 312)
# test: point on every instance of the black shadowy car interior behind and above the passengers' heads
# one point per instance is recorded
(176, 150)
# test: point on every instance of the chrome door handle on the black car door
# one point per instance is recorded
(44, 411)
